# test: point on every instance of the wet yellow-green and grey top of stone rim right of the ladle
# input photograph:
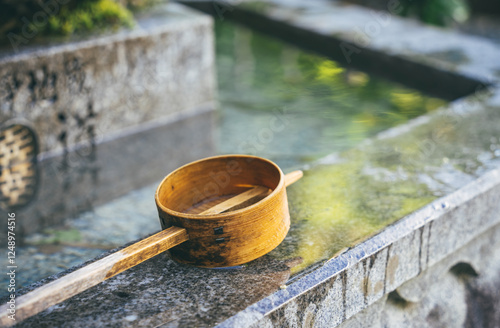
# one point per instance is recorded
(369, 187)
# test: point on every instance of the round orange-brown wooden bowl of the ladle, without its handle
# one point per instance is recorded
(233, 237)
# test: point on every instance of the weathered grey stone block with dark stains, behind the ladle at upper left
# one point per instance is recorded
(84, 90)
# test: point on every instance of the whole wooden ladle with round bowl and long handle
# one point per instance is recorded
(200, 211)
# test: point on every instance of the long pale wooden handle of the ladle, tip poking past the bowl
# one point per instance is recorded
(82, 279)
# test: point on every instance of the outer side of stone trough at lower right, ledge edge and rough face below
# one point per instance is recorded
(438, 296)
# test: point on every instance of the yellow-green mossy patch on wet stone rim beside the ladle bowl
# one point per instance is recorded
(340, 204)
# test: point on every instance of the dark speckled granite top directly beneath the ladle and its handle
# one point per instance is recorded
(162, 292)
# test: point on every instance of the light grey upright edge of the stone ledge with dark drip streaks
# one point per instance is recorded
(357, 278)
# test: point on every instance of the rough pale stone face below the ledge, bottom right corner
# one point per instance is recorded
(450, 293)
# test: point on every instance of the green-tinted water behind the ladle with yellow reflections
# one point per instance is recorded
(293, 107)
